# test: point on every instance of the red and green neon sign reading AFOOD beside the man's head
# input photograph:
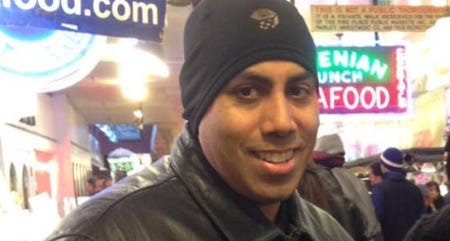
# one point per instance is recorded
(356, 80)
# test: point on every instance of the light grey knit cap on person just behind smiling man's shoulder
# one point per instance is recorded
(329, 151)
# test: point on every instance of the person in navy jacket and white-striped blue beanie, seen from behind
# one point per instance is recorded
(398, 202)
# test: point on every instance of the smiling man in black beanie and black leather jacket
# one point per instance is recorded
(249, 90)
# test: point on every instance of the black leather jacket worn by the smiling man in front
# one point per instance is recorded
(183, 198)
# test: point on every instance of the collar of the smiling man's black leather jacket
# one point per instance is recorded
(222, 204)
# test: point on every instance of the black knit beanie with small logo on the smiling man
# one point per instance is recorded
(223, 37)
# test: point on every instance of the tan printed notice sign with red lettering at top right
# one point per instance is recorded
(374, 18)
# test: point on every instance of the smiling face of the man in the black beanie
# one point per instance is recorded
(260, 130)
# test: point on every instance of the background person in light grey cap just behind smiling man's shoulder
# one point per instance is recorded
(338, 191)
